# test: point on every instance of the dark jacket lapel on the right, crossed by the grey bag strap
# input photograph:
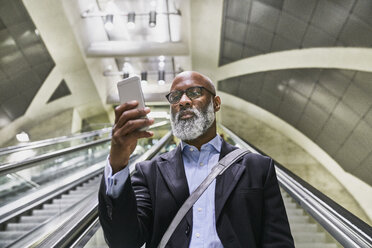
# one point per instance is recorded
(227, 181)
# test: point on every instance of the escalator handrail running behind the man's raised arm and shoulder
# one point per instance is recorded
(63, 236)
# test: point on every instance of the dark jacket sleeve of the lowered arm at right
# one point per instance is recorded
(276, 230)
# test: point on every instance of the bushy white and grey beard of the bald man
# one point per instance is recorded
(192, 128)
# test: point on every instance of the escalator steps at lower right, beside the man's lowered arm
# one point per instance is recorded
(306, 233)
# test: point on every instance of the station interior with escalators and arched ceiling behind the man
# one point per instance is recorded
(294, 77)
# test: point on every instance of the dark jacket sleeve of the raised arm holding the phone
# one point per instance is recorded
(127, 219)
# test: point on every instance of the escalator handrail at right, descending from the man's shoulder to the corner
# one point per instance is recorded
(345, 227)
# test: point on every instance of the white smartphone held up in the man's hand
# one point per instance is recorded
(130, 89)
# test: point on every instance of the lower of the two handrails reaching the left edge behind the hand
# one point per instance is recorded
(16, 166)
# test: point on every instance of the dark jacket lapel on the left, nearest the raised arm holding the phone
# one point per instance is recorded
(173, 172)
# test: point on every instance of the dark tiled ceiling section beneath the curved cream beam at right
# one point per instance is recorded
(330, 106)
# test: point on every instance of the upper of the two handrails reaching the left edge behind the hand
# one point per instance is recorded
(51, 141)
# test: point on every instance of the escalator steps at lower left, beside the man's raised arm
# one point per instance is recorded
(28, 223)
